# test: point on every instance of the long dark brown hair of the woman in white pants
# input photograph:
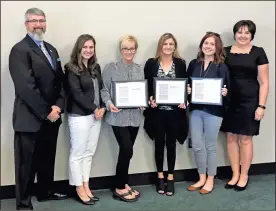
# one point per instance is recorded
(76, 65)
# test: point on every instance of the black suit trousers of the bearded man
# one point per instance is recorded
(34, 154)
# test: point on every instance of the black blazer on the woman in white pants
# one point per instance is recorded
(81, 93)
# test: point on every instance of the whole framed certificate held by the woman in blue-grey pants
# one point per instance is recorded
(207, 91)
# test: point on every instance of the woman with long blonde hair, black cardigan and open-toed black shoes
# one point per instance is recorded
(165, 123)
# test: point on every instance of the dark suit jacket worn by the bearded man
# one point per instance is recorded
(37, 85)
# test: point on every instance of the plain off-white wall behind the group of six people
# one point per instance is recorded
(107, 21)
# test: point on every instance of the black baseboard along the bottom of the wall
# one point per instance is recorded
(223, 172)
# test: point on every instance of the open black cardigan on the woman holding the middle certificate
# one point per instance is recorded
(181, 123)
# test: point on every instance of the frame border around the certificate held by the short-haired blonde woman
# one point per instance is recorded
(114, 94)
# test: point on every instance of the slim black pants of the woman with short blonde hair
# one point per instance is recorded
(126, 138)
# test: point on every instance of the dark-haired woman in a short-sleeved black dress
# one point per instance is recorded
(248, 67)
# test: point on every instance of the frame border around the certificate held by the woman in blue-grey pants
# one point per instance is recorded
(220, 103)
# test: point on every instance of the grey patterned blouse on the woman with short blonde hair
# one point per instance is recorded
(119, 71)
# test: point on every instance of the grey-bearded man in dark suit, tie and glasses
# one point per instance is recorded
(37, 75)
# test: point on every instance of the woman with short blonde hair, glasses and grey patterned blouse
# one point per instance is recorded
(125, 122)
